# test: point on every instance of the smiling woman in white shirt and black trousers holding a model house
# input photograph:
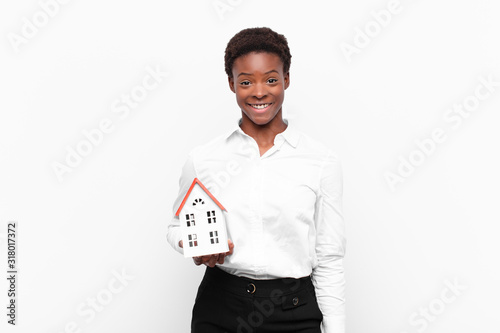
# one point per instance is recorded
(282, 191)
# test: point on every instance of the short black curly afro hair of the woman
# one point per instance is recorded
(257, 40)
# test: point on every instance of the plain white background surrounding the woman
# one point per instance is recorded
(110, 214)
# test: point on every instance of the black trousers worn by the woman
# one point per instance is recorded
(226, 303)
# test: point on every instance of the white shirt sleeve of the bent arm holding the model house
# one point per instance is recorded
(188, 174)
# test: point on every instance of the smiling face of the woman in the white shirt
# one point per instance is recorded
(259, 84)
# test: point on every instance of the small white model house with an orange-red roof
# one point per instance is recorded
(202, 222)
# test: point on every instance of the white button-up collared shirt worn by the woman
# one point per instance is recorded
(284, 210)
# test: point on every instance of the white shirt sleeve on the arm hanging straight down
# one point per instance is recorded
(328, 274)
